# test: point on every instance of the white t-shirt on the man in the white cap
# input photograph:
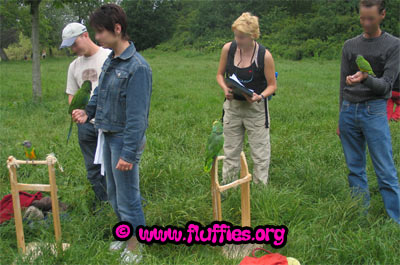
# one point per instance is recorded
(86, 68)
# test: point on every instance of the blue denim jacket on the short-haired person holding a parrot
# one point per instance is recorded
(121, 101)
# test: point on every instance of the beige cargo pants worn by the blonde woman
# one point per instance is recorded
(241, 116)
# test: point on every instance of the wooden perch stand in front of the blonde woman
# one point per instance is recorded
(244, 182)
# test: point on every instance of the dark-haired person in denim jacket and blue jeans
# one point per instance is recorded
(120, 105)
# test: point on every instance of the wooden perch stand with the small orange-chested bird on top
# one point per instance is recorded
(16, 187)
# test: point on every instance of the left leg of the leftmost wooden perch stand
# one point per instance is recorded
(17, 209)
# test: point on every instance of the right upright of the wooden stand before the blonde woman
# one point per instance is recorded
(245, 192)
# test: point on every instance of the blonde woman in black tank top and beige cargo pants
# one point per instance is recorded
(254, 67)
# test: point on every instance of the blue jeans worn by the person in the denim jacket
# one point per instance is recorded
(123, 186)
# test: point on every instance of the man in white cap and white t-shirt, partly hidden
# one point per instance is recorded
(87, 66)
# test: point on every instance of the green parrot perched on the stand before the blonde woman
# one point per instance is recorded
(214, 144)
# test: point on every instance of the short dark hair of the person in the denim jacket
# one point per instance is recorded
(105, 18)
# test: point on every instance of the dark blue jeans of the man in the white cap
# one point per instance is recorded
(87, 136)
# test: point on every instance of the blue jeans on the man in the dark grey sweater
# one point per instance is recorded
(362, 124)
